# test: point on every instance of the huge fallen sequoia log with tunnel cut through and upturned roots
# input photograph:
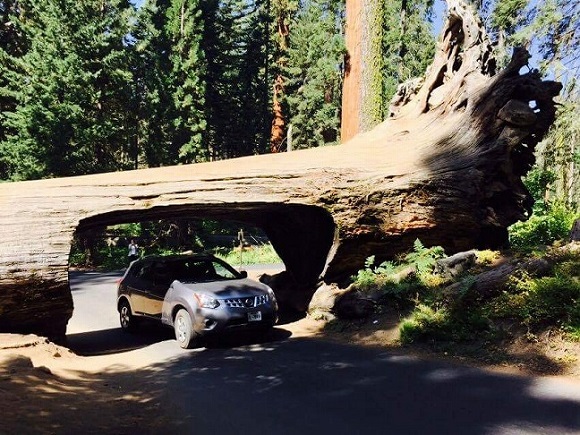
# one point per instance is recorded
(445, 168)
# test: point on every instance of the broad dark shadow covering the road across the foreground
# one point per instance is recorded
(298, 386)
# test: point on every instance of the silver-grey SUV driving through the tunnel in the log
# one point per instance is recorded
(197, 295)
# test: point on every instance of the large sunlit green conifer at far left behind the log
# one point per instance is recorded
(71, 87)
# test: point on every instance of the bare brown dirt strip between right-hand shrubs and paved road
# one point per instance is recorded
(545, 354)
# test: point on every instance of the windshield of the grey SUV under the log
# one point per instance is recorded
(196, 270)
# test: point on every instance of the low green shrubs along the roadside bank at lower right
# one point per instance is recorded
(535, 303)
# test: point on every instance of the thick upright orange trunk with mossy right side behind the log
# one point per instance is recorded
(362, 88)
